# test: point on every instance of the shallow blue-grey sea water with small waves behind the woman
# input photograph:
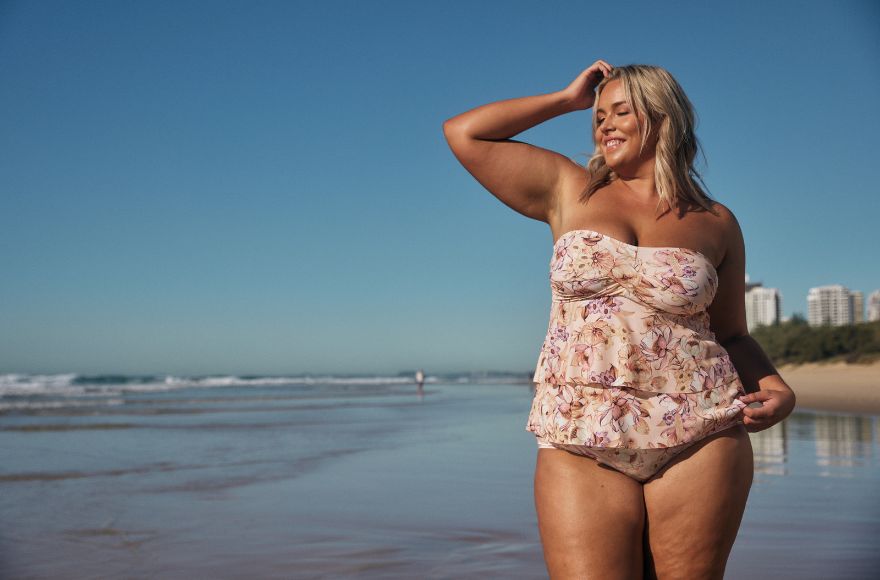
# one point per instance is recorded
(347, 477)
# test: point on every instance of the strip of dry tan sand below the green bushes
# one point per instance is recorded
(849, 388)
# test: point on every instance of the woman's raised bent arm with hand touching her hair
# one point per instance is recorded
(524, 177)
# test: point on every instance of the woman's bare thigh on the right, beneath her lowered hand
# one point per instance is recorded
(695, 506)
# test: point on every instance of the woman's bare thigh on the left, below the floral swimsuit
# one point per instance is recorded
(591, 518)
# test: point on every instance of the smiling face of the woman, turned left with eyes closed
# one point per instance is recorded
(617, 133)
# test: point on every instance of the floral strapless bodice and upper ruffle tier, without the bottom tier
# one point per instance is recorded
(631, 316)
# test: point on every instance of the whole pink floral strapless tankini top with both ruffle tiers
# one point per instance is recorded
(629, 359)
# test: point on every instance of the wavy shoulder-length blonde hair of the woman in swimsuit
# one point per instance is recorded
(661, 105)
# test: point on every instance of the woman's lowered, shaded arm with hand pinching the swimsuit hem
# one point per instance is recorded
(727, 319)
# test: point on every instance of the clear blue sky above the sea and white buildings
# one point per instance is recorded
(264, 187)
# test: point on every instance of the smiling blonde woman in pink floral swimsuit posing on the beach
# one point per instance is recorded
(640, 412)
